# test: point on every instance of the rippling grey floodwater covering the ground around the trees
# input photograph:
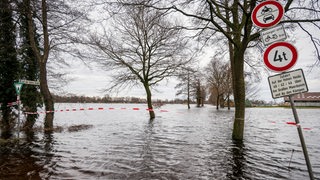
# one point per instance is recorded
(121, 143)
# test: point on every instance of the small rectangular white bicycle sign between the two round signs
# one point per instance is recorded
(273, 34)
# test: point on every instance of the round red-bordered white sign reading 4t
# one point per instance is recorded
(280, 56)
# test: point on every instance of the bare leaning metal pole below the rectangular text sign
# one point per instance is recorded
(303, 144)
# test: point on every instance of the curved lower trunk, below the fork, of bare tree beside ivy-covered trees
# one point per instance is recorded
(47, 98)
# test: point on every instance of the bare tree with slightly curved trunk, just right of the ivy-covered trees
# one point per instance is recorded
(54, 21)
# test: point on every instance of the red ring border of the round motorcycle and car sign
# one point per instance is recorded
(275, 21)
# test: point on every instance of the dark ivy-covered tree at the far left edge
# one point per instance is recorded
(9, 65)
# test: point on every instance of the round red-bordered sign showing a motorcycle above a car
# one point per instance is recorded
(267, 14)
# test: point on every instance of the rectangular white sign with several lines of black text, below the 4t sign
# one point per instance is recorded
(288, 83)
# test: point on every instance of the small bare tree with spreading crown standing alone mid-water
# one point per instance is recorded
(142, 47)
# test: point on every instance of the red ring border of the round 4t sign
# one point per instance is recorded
(292, 61)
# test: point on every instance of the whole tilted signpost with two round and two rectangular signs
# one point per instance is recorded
(280, 57)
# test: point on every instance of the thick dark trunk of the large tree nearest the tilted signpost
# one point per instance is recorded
(239, 93)
